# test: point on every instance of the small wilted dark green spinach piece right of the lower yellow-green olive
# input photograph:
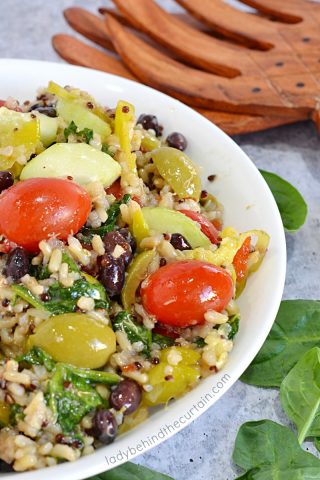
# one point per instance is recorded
(124, 322)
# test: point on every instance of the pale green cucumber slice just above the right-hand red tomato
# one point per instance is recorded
(164, 220)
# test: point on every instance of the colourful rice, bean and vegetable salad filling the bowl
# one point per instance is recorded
(118, 276)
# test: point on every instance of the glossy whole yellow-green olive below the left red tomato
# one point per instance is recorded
(75, 338)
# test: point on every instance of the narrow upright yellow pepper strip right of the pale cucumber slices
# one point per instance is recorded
(123, 124)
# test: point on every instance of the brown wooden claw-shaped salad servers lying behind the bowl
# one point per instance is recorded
(274, 82)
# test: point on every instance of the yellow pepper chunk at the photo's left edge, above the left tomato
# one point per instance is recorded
(20, 133)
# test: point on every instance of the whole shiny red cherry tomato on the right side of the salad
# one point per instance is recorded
(180, 293)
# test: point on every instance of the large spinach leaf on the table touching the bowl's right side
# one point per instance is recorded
(295, 331)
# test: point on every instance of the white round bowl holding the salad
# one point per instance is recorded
(248, 204)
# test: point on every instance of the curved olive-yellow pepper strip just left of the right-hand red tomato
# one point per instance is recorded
(136, 273)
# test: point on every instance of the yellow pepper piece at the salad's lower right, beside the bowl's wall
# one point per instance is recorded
(183, 376)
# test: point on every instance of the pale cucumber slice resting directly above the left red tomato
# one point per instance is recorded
(80, 161)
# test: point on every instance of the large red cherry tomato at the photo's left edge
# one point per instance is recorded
(39, 208)
